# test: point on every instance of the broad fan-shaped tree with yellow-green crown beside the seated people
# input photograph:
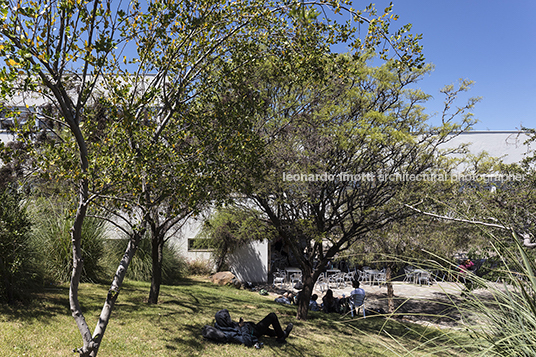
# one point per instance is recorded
(338, 170)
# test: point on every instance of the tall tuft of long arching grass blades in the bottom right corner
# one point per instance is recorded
(498, 316)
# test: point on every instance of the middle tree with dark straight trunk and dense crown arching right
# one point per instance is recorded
(201, 103)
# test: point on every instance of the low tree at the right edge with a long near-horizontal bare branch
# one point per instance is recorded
(491, 194)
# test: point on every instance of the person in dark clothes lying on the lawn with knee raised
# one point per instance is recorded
(246, 333)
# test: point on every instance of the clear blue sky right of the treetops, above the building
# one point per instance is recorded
(491, 42)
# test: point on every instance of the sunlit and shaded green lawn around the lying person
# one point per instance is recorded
(173, 327)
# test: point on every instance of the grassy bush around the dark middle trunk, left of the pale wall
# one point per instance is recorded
(140, 268)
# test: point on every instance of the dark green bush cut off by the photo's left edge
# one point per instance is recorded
(17, 258)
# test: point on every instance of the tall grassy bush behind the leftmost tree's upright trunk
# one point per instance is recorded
(51, 234)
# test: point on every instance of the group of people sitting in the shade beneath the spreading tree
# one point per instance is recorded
(330, 303)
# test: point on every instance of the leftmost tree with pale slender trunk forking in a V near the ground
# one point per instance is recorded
(57, 51)
